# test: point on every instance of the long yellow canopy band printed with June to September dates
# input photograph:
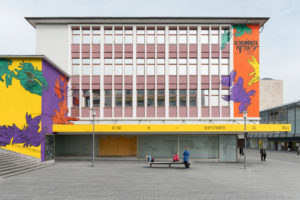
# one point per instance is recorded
(173, 128)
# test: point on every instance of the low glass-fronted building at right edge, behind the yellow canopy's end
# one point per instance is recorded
(283, 114)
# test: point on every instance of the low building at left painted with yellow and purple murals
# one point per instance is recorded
(33, 98)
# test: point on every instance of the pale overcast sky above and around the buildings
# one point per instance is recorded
(279, 40)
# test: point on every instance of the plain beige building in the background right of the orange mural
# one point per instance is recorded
(270, 93)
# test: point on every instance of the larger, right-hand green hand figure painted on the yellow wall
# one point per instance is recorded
(31, 79)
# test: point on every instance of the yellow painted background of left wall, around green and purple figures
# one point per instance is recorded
(15, 102)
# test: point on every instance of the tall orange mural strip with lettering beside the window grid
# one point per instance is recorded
(246, 67)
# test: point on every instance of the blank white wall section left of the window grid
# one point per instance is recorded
(52, 41)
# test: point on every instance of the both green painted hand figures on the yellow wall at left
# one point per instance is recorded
(30, 78)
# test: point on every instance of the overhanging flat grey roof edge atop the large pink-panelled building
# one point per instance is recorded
(147, 20)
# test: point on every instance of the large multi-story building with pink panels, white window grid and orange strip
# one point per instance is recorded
(155, 71)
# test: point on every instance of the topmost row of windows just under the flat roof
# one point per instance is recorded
(118, 36)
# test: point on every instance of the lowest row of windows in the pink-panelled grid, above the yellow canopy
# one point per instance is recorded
(149, 97)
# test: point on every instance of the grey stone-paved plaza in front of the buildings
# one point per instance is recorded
(277, 178)
